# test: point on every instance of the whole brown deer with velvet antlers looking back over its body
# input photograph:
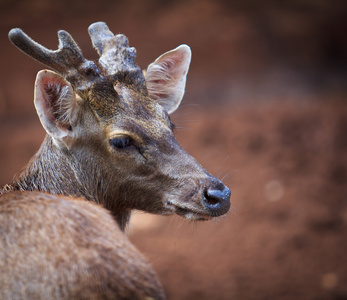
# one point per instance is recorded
(109, 149)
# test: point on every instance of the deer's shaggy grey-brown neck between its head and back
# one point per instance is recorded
(55, 172)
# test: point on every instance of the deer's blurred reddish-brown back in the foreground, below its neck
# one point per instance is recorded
(55, 247)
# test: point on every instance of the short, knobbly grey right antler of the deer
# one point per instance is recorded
(114, 51)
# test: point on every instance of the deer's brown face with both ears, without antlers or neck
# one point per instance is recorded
(118, 135)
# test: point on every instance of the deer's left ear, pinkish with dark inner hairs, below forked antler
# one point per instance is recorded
(55, 103)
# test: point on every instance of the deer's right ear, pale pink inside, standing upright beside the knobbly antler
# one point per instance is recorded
(166, 77)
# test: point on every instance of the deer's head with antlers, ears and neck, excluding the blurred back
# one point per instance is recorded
(109, 133)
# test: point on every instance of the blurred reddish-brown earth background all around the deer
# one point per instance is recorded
(265, 110)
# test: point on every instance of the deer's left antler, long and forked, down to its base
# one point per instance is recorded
(67, 60)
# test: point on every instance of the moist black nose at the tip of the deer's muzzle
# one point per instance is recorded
(217, 201)
